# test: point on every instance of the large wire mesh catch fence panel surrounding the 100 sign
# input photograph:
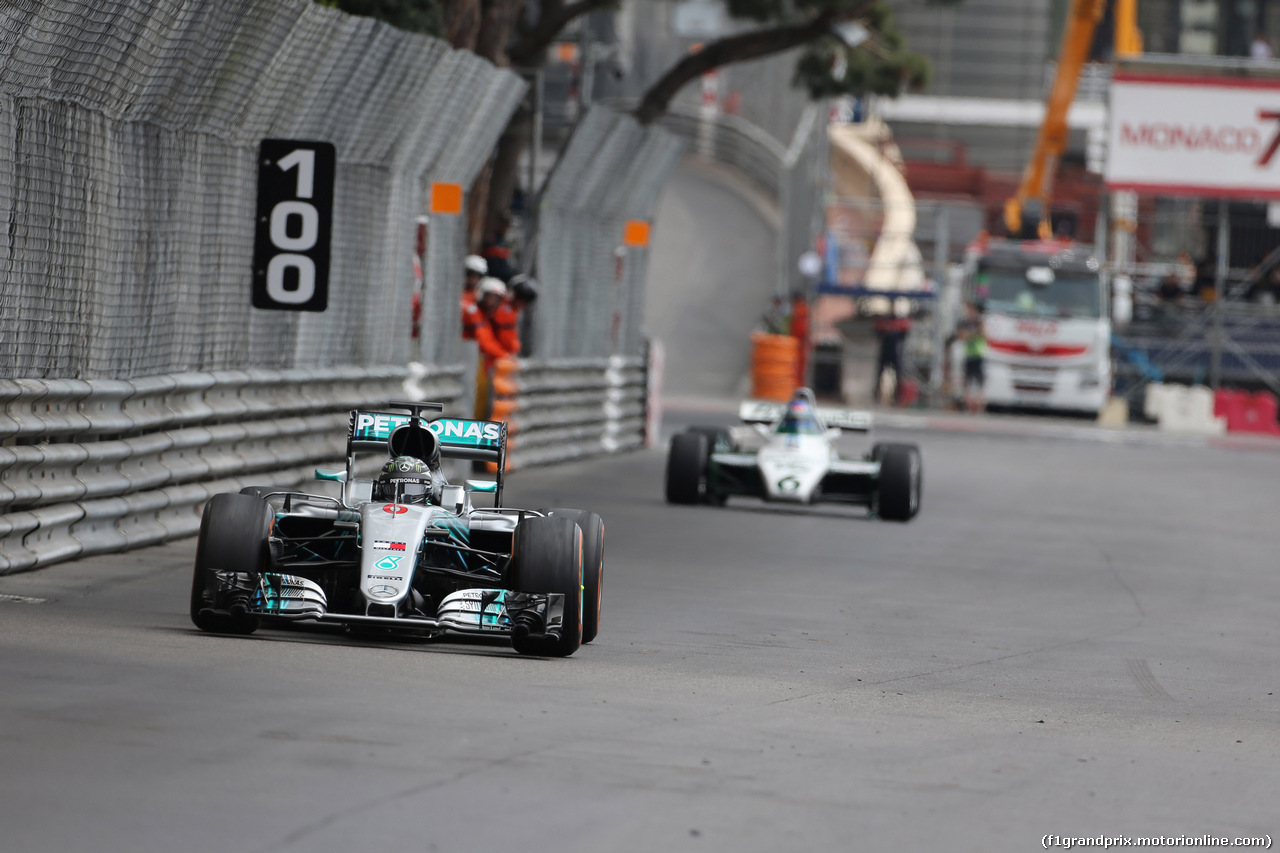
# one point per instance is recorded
(129, 138)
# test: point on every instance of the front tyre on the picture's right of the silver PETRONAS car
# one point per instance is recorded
(547, 558)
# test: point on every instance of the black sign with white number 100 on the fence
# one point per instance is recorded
(295, 223)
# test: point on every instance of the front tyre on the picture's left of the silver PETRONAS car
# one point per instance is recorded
(235, 535)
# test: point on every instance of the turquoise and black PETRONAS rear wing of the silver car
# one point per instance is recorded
(424, 435)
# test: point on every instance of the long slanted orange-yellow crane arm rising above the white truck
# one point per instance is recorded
(1039, 175)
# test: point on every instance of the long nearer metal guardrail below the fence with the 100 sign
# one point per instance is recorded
(132, 463)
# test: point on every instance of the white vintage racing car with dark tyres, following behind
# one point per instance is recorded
(788, 454)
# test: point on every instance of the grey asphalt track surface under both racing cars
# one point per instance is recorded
(1073, 638)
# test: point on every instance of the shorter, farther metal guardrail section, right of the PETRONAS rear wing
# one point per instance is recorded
(564, 409)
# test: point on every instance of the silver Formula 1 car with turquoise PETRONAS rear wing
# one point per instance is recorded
(405, 551)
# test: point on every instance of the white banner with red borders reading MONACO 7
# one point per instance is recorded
(1195, 136)
